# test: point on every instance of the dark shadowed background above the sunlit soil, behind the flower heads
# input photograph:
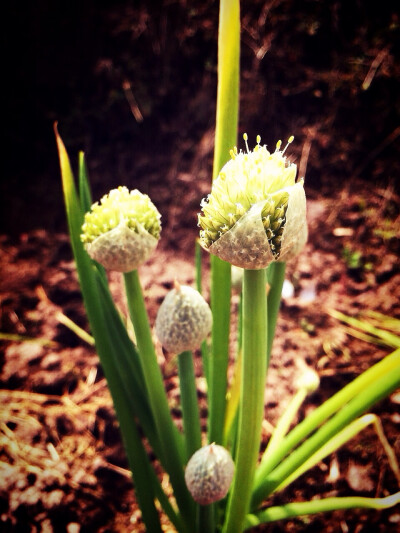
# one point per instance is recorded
(133, 85)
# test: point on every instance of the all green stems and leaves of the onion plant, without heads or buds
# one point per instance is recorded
(235, 412)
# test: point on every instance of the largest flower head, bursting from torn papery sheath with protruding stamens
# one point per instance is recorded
(256, 212)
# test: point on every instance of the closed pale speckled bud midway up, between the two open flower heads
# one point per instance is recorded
(183, 320)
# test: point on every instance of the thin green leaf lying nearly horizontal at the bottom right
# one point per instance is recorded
(290, 510)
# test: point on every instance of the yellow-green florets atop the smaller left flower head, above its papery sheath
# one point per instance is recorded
(121, 206)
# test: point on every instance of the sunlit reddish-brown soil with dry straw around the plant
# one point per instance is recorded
(62, 460)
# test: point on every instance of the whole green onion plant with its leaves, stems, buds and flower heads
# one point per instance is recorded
(254, 219)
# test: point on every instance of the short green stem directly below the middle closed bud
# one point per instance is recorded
(189, 403)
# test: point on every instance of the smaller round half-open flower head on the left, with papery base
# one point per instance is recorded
(122, 231)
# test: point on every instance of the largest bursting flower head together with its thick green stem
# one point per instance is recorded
(254, 215)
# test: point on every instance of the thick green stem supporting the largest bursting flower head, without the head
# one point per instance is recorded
(251, 408)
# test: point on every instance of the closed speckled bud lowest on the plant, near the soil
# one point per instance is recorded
(209, 474)
